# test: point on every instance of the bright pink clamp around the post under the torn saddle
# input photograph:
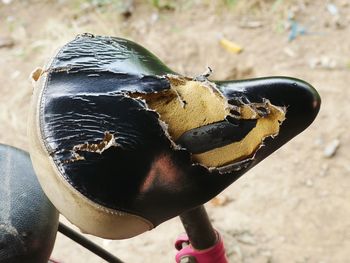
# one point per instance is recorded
(214, 254)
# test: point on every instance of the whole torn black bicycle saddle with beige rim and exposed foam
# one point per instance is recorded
(121, 143)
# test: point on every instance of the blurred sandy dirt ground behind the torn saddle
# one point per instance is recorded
(294, 206)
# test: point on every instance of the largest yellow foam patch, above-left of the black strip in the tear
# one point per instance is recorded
(187, 105)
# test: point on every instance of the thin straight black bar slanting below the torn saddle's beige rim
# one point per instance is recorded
(88, 244)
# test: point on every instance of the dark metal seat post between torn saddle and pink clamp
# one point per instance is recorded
(199, 229)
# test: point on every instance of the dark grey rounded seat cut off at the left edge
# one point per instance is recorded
(28, 221)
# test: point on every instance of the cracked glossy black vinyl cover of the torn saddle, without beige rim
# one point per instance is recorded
(87, 96)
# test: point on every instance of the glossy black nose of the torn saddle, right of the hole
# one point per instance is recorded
(299, 99)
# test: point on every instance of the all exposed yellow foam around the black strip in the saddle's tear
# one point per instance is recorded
(190, 104)
